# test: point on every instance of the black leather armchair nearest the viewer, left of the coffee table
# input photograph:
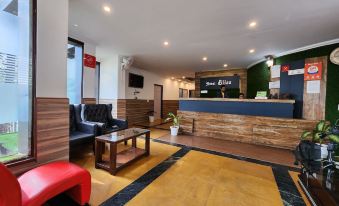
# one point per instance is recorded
(80, 132)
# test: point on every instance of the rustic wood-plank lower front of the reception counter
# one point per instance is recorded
(273, 132)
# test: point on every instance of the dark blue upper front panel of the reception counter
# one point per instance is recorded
(252, 107)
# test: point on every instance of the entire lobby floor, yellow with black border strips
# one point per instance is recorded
(183, 175)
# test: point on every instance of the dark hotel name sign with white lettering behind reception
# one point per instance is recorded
(217, 82)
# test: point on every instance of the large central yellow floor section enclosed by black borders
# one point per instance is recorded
(219, 181)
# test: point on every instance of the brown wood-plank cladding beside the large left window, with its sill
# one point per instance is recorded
(52, 133)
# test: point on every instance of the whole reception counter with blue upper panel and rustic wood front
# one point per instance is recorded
(264, 122)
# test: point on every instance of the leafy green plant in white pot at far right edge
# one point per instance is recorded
(321, 133)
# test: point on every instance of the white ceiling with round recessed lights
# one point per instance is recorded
(217, 29)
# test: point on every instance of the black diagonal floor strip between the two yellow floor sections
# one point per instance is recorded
(129, 192)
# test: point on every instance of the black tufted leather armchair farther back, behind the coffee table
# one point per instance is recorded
(101, 115)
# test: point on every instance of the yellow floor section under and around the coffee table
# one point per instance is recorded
(104, 185)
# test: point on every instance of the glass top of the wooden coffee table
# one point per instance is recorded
(122, 135)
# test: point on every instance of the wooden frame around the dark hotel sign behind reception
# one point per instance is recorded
(241, 72)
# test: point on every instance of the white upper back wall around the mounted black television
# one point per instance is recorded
(170, 87)
